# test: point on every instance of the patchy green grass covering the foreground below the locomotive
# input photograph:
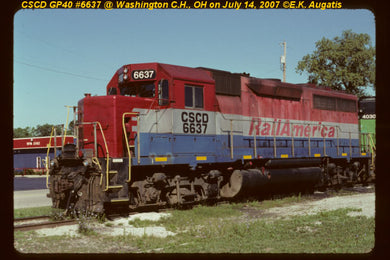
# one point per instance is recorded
(225, 229)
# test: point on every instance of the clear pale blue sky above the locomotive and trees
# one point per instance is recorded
(61, 54)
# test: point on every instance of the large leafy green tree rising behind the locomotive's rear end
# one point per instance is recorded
(344, 63)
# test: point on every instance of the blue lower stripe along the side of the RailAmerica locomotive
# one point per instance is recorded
(184, 149)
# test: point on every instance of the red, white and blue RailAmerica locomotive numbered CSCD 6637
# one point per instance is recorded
(171, 135)
